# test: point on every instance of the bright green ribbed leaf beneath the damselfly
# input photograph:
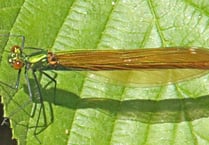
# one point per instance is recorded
(102, 108)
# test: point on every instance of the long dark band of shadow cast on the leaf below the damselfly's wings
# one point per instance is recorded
(146, 111)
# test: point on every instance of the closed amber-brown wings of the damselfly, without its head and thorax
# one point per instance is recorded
(157, 58)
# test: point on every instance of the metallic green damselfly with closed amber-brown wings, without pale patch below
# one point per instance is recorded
(103, 60)
